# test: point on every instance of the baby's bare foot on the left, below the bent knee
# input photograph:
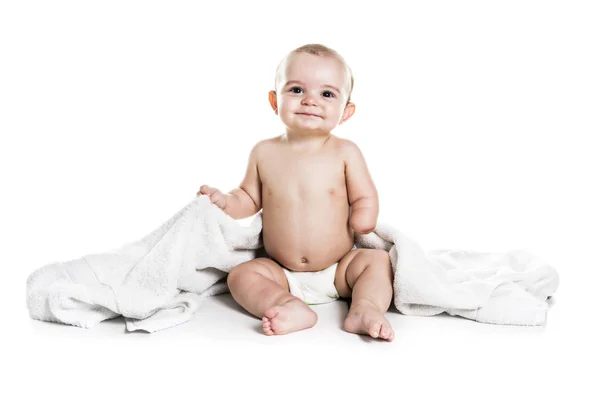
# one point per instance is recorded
(291, 316)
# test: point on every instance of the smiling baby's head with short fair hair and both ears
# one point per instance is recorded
(312, 92)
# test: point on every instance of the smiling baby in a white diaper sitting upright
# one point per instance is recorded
(315, 192)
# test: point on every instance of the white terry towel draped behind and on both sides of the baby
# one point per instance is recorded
(154, 283)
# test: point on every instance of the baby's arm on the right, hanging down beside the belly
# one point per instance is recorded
(362, 193)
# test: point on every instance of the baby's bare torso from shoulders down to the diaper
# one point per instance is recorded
(305, 204)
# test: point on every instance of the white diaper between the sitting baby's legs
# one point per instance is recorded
(315, 287)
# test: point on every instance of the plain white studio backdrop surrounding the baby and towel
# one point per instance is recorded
(479, 121)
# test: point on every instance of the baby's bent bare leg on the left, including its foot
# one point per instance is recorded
(261, 288)
